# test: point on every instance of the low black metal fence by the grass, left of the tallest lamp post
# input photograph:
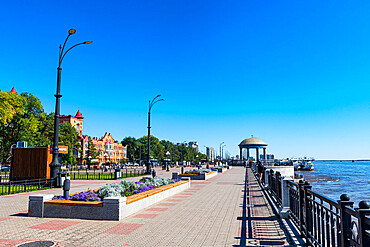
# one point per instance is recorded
(20, 186)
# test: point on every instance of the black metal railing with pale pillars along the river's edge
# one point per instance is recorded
(320, 220)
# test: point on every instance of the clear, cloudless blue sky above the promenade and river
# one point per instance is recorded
(295, 74)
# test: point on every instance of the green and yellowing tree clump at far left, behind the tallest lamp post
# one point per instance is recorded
(22, 118)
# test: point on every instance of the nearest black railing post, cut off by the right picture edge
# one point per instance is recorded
(363, 223)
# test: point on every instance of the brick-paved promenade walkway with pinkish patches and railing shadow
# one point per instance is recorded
(227, 210)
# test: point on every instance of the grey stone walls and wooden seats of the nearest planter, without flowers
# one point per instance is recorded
(111, 208)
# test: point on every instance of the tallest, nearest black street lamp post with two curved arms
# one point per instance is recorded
(55, 164)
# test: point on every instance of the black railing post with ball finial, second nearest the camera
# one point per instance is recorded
(345, 220)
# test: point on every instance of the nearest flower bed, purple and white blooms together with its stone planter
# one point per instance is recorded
(110, 202)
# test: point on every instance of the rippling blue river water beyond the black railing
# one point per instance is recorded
(333, 178)
